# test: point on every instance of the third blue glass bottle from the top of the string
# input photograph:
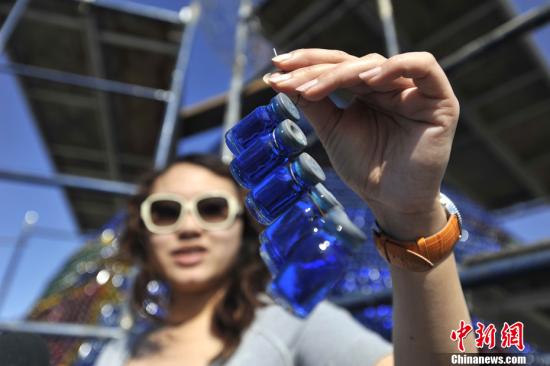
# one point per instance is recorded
(282, 187)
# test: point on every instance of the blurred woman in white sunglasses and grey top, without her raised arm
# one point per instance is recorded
(210, 261)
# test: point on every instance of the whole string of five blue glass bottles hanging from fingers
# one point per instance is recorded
(309, 240)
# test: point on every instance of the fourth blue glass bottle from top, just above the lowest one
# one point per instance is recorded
(279, 237)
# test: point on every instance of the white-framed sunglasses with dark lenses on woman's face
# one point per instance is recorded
(162, 213)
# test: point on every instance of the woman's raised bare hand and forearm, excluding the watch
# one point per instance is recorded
(391, 145)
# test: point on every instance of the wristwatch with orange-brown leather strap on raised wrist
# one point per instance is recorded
(425, 253)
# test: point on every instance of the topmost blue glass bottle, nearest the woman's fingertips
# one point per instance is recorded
(260, 122)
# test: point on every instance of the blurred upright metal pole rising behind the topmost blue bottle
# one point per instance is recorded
(233, 109)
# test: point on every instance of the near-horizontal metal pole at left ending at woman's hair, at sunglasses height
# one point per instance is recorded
(73, 181)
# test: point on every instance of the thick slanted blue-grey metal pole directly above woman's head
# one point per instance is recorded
(166, 138)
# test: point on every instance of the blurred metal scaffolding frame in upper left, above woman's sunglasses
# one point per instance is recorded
(187, 17)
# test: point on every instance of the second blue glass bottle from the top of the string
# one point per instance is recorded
(268, 152)
